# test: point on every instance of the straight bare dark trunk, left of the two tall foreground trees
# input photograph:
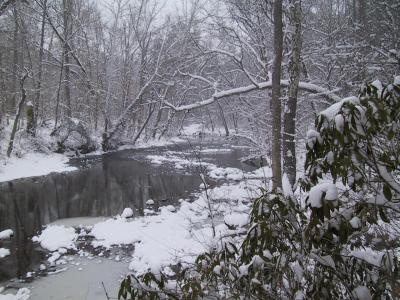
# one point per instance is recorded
(276, 109)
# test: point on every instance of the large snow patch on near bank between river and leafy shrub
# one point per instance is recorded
(170, 237)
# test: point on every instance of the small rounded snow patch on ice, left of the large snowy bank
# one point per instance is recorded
(56, 236)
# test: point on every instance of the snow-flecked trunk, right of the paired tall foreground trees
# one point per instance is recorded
(289, 122)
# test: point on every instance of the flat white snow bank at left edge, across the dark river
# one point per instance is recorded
(33, 164)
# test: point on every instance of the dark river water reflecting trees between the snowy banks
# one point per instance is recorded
(103, 186)
